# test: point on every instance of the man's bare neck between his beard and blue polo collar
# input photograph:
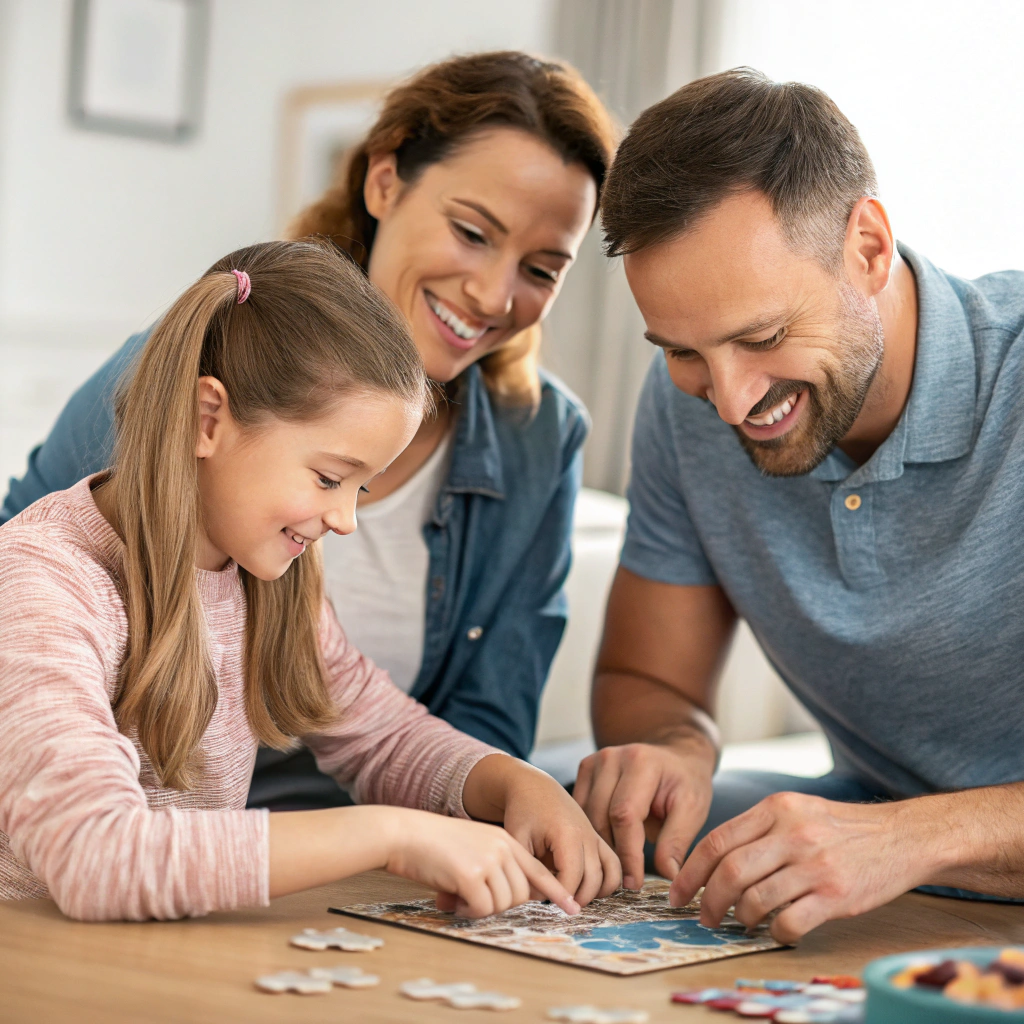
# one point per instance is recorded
(898, 306)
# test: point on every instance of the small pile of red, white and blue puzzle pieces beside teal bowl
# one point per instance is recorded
(824, 1001)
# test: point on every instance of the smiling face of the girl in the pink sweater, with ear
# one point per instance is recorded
(271, 491)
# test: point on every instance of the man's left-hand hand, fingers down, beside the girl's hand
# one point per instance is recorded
(643, 791)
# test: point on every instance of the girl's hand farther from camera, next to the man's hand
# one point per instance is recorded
(546, 821)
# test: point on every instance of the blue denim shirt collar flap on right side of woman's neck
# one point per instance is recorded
(477, 455)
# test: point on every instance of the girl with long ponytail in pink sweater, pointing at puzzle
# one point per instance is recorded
(156, 622)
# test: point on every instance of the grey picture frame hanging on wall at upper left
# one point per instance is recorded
(138, 67)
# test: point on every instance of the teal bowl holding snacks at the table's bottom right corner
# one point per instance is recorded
(887, 1005)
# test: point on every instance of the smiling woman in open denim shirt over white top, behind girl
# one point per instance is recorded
(466, 204)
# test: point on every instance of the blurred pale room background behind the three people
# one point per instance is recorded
(143, 140)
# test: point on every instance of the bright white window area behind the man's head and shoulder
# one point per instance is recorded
(936, 91)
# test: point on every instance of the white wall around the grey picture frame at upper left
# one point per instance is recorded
(100, 232)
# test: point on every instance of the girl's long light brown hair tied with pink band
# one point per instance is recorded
(313, 332)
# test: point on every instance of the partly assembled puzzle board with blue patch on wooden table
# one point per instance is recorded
(626, 933)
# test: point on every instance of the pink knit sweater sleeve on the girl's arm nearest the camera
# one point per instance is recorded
(71, 802)
